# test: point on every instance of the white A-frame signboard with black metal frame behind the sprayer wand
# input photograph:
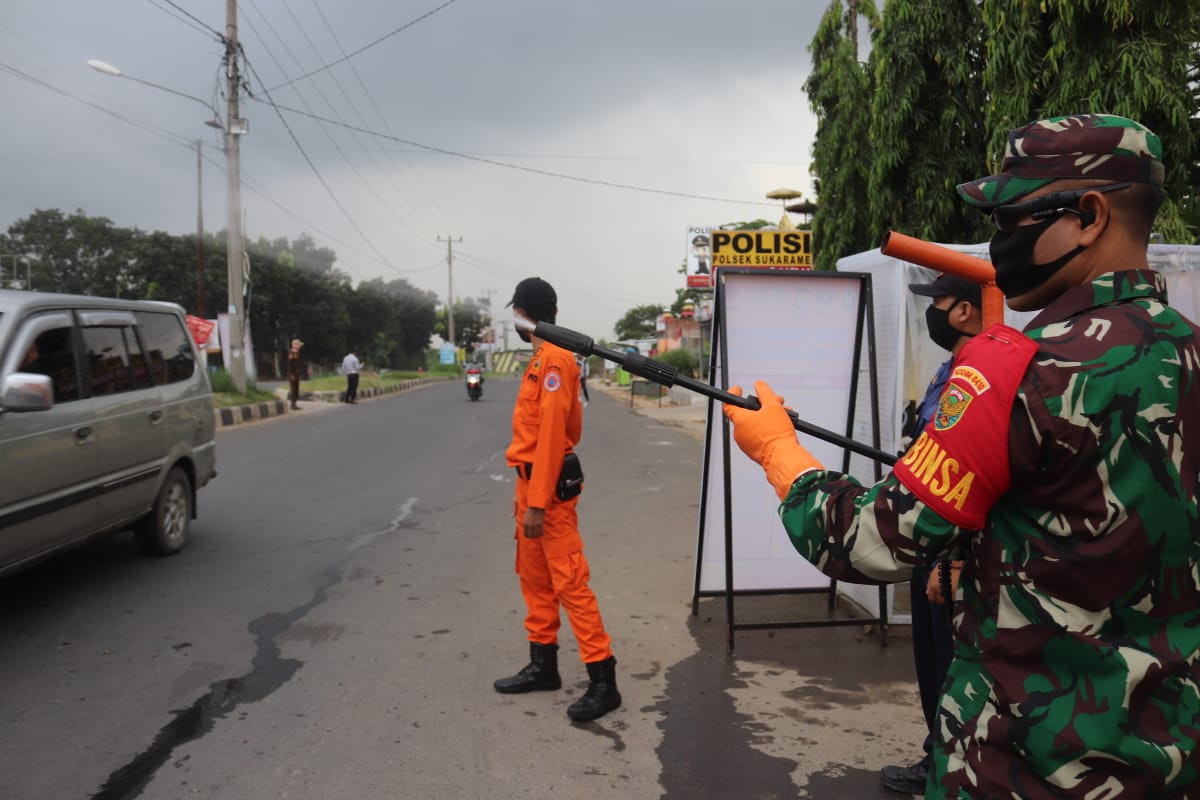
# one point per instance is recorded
(819, 309)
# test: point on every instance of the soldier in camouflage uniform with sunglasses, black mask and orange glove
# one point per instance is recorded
(1063, 465)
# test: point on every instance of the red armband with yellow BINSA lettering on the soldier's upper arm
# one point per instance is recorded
(959, 466)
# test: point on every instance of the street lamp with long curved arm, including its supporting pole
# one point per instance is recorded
(235, 250)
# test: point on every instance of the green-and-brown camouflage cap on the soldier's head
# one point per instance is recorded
(1078, 147)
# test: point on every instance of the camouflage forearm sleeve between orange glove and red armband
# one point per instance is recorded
(863, 534)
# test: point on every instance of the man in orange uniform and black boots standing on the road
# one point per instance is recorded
(548, 422)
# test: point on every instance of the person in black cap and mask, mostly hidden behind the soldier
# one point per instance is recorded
(955, 316)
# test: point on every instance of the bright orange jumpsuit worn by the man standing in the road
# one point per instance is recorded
(548, 422)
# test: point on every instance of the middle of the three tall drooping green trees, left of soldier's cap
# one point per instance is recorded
(927, 131)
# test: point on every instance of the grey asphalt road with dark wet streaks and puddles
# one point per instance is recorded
(347, 599)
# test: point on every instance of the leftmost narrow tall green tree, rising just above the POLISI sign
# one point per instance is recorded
(839, 91)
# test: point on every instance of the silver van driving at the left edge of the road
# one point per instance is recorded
(106, 424)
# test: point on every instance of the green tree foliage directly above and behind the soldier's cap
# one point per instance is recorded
(1132, 58)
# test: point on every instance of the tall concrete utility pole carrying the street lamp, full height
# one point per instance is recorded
(235, 255)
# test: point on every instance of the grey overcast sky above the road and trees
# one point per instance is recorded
(691, 99)
